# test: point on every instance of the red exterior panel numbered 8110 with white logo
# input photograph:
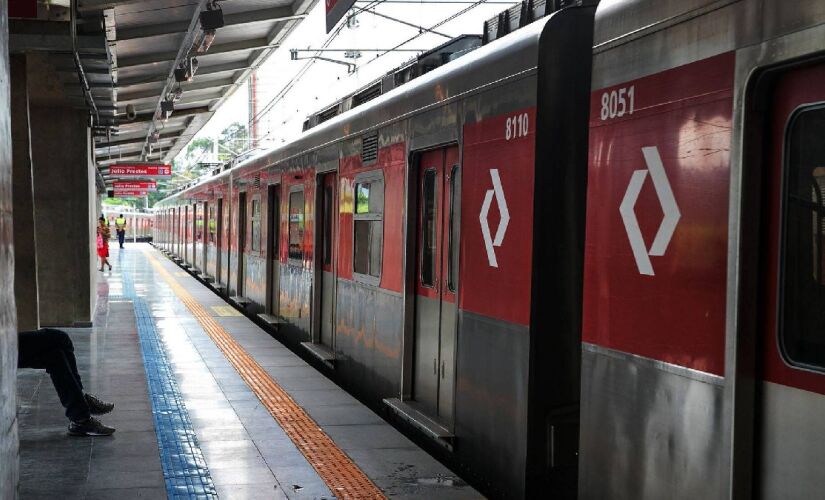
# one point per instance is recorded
(498, 171)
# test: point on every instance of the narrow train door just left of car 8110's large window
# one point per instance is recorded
(328, 214)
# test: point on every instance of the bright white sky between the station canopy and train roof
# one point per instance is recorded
(322, 83)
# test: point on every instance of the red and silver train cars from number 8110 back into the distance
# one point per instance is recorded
(396, 244)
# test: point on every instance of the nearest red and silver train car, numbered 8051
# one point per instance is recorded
(703, 355)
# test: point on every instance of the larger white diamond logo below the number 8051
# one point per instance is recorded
(666, 201)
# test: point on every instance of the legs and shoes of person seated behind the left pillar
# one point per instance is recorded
(52, 350)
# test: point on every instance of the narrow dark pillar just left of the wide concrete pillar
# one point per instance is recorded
(25, 264)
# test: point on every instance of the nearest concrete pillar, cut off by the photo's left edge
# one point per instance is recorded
(8, 314)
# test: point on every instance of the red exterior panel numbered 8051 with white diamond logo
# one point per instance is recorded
(660, 162)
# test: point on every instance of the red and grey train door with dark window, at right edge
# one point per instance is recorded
(791, 393)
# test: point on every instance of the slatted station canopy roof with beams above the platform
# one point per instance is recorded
(127, 52)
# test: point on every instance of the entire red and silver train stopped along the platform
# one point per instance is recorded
(579, 260)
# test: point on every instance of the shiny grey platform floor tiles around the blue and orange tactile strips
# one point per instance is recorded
(247, 453)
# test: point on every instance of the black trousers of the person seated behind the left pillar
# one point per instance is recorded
(52, 350)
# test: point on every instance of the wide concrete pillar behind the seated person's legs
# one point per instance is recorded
(64, 209)
